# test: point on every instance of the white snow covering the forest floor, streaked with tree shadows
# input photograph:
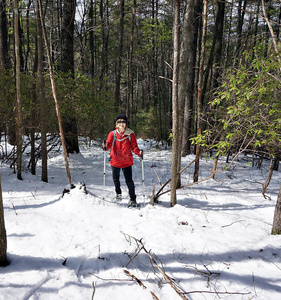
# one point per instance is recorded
(216, 243)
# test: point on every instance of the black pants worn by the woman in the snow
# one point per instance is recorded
(128, 178)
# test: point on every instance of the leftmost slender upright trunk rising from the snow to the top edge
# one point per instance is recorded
(18, 92)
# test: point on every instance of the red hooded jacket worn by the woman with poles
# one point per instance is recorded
(121, 153)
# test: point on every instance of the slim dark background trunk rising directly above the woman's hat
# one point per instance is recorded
(119, 58)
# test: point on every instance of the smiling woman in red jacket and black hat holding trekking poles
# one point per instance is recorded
(122, 142)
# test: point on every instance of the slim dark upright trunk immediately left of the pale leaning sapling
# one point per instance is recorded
(41, 89)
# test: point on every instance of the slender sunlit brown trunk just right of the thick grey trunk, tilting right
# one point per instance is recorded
(200, 94)
